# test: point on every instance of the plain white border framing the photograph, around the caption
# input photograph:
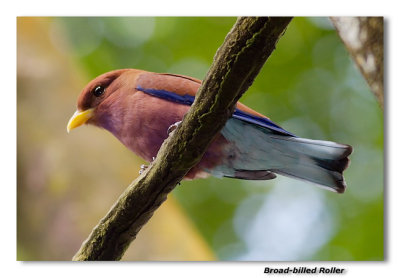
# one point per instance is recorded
(185, 8)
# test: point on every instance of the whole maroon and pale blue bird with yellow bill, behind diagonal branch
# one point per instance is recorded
(140, 108)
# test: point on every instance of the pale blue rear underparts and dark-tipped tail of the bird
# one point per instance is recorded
(261, 153)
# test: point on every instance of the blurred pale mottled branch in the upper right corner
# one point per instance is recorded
(363, 37)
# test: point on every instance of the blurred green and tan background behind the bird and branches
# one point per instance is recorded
(67, 182)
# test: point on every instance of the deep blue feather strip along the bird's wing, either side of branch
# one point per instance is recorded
(238, 114)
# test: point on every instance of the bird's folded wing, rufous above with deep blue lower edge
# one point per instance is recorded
(182, 89)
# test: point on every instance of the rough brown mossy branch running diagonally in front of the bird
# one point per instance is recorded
(236, 64)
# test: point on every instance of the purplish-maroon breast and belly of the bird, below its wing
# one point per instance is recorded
(142, 123)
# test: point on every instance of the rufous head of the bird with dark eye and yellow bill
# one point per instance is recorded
(98, 91)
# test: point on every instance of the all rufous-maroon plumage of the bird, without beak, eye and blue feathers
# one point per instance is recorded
(141, 121)
